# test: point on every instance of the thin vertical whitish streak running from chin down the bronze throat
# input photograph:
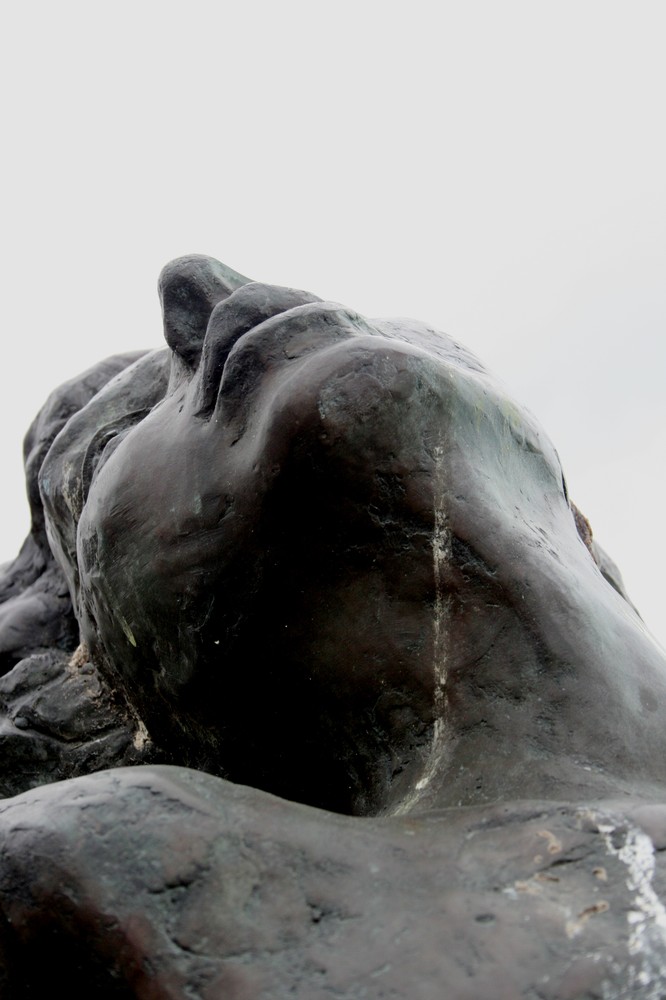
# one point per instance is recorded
(441, 557)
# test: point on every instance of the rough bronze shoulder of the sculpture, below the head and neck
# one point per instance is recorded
(315, 901)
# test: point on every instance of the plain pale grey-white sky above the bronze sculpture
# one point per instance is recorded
(496, 167)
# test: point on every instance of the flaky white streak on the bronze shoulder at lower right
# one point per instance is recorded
(646, 970)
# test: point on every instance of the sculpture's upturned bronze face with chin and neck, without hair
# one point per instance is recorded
(332, 559)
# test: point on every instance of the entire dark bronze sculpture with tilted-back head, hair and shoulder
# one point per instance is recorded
(328, 558)
